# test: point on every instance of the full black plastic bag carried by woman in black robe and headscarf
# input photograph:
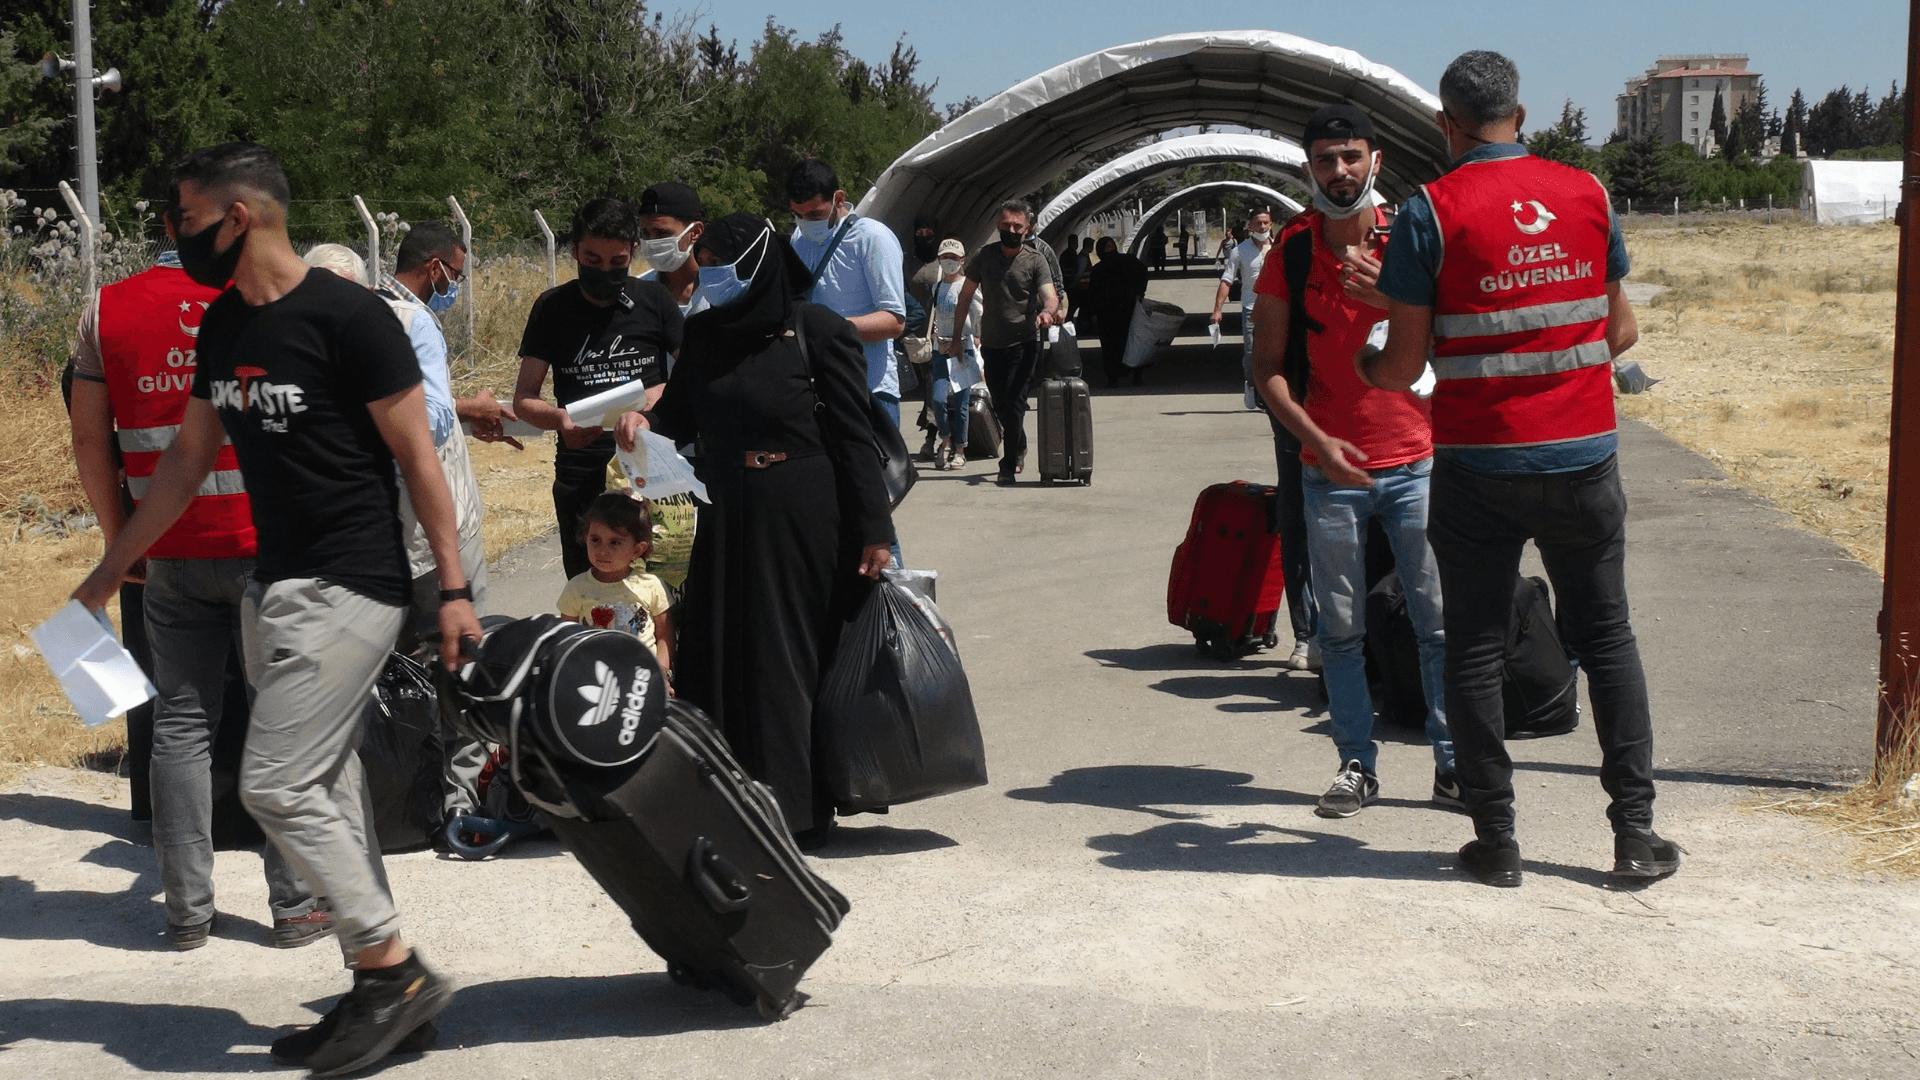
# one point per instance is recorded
(896, 722)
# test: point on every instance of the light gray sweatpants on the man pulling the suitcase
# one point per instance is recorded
(312, 654)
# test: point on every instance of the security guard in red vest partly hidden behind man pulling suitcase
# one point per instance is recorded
(132, 378)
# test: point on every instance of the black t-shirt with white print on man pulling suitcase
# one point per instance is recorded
(293, 381)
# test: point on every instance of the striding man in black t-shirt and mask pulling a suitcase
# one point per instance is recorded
(316, 385)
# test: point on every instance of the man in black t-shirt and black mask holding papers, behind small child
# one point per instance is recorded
(596, 333)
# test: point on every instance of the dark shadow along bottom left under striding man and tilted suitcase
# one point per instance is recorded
(197, 1039)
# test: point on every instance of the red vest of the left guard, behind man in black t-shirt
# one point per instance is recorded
(149, 330)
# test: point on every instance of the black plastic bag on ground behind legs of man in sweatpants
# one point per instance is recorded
(400, 756)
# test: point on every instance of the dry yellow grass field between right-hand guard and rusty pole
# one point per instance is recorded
(1777, 353)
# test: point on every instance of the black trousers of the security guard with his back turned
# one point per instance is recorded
(1477, 528)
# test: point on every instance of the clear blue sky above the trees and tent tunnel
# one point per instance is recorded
(1581, 53)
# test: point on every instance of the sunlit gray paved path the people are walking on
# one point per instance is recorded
(1143, 889)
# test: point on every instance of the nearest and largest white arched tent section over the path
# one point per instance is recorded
(1259, 80)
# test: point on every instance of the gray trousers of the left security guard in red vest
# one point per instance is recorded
(193, 614)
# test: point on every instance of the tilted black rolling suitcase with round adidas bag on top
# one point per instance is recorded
(648, 797)
